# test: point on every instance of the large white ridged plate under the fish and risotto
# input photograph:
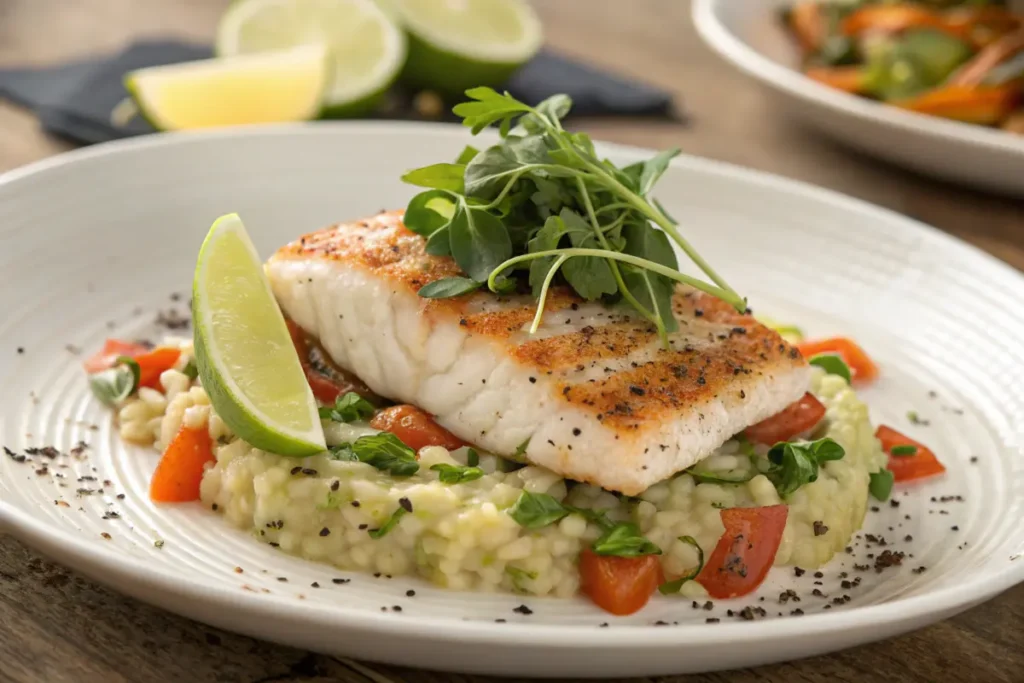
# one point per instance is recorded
(96, 242)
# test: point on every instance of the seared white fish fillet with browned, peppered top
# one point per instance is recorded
(593, 393)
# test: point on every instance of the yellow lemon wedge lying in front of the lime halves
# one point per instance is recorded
(265, 89)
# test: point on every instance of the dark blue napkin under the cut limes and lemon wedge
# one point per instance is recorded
(74, 101)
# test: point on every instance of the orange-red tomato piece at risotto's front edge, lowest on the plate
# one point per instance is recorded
(620, 585)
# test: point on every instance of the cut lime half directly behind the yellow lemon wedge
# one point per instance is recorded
(367, 49)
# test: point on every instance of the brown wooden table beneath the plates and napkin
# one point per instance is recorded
(58, 627)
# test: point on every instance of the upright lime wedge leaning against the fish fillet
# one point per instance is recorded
(244, 354)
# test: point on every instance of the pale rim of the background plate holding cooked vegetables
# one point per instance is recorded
(740, 54)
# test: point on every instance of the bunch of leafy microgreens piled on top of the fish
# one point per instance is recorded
(542, 207)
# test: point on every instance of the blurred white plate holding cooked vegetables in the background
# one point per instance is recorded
(749, 34)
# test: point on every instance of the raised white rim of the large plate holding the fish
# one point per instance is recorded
(521, 634)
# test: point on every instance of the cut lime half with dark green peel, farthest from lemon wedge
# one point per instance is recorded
(454, 47)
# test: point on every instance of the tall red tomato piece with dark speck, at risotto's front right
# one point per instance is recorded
(746, 552)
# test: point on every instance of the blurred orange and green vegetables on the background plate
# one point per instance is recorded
(960, 60)
